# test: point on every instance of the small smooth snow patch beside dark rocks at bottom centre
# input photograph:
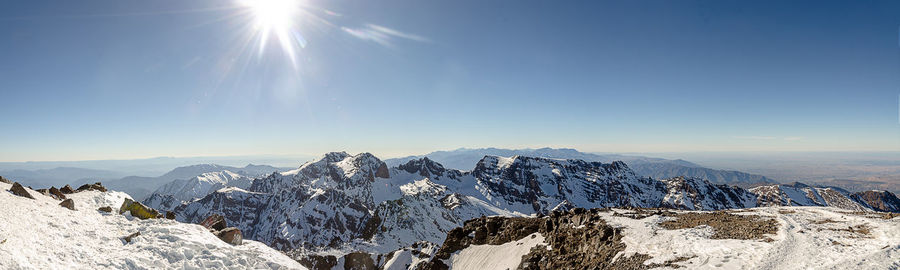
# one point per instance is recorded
(505, 256)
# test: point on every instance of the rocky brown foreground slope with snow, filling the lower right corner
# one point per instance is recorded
(757, 238)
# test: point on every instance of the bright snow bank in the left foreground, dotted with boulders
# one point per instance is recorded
(39, 234)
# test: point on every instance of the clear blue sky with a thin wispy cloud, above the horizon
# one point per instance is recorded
(131, 79)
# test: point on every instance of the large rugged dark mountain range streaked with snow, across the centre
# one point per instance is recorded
(344, 203)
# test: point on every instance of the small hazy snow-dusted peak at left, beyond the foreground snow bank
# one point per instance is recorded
(178, 192)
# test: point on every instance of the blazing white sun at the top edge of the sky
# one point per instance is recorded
(274, 18)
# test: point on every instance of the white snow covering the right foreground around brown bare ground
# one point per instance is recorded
(803, 241)
